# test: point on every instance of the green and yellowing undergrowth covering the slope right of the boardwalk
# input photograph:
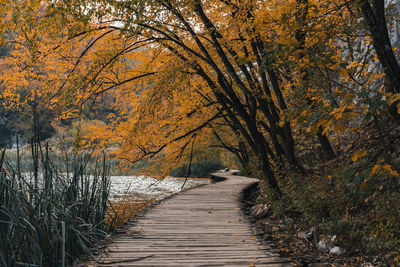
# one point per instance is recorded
(355, 196)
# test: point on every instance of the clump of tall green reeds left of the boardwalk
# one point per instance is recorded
(48, 218)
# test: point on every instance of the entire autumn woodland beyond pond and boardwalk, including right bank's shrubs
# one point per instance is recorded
(303, 93)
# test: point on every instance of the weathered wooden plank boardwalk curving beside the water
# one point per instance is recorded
(200, 227)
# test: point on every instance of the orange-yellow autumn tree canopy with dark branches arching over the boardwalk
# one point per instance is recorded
(253, 77)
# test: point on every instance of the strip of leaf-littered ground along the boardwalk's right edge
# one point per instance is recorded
(291, 242)
